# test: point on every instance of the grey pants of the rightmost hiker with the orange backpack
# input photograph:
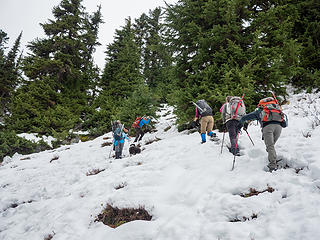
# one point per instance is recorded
(271, 134)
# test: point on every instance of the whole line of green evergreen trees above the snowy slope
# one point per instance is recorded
(186, 51)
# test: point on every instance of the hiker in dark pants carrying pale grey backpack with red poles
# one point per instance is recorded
(232, 110)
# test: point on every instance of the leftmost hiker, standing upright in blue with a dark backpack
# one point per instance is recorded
(119, 137)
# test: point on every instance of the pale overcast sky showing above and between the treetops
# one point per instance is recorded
(25, 15)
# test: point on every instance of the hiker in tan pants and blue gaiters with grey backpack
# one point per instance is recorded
(204, 111)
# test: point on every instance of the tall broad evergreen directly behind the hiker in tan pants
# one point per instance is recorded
(212, 53)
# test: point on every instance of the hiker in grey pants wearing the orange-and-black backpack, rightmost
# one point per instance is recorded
(271, 119)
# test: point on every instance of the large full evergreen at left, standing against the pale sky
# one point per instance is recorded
(62, 65)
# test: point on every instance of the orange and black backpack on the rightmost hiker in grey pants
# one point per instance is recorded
(271, 110)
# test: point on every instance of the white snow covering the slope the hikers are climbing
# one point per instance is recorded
(186, 186)
